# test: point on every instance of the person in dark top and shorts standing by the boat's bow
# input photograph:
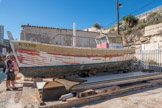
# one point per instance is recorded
(9, 70)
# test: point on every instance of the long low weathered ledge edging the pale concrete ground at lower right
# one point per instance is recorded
(75, 101)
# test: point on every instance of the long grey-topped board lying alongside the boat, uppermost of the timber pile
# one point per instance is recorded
(115, 79)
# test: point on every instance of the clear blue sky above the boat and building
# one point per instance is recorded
(62, 13)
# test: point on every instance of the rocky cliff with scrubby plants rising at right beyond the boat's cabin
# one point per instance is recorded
(136, 35)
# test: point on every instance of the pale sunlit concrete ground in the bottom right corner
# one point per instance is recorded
(145, 98)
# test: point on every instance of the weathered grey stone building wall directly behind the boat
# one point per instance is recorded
(58, 36)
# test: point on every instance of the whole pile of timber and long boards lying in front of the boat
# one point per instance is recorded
(100, 87)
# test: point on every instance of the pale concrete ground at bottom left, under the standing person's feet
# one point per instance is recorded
(24, 97)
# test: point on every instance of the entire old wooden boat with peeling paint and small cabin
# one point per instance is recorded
(39, 60)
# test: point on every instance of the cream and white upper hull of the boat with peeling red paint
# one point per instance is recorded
(30, 55)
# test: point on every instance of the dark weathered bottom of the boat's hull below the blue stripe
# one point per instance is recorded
(45, 71)
